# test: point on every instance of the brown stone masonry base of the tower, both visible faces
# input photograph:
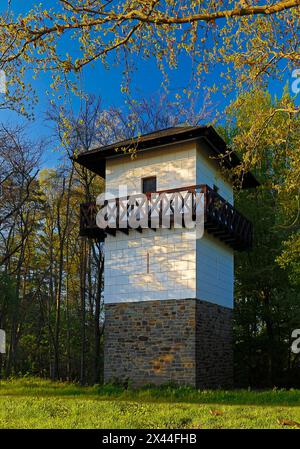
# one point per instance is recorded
(187, 342)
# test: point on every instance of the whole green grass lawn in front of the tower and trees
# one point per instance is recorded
(35, 403)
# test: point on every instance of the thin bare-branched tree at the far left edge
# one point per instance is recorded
(19, 206)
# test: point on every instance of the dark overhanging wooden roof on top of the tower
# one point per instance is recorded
(95, 158)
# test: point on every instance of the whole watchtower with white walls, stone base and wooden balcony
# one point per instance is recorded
(168, 293)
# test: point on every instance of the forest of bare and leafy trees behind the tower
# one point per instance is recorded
(51, 282)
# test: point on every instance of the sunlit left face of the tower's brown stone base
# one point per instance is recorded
(150, 342)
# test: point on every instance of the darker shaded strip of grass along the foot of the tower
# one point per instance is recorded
(33, 387)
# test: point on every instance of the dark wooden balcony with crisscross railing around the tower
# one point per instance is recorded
(221, 219)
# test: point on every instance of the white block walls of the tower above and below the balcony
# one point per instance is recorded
(167, 263)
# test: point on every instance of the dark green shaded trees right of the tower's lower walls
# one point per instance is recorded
(266, 302)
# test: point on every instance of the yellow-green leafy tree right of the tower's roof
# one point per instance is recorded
(266, 132)
